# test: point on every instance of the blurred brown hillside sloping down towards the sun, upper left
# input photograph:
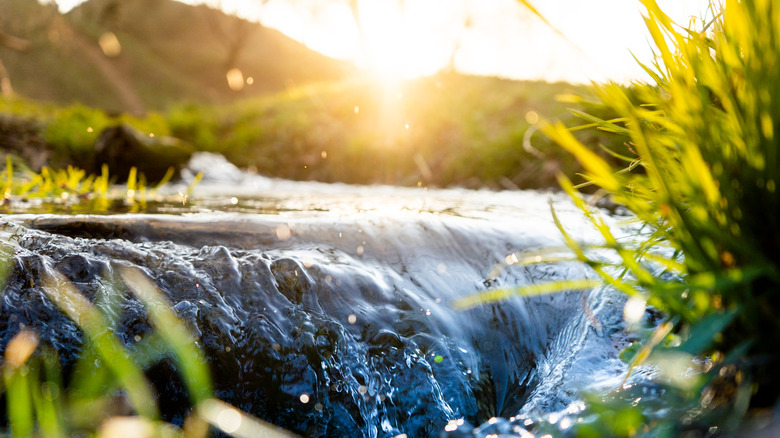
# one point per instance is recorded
(170, 52)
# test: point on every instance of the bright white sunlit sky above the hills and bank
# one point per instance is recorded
(409, 38)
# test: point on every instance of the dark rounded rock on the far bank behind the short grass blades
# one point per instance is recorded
(122, 147)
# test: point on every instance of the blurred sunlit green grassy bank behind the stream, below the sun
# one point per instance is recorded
(440, 131)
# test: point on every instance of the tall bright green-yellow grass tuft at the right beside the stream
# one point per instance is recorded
(701, 170)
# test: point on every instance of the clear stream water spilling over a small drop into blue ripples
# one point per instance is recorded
(328, 309)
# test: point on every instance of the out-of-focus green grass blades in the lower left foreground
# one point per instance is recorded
(108, 394)
